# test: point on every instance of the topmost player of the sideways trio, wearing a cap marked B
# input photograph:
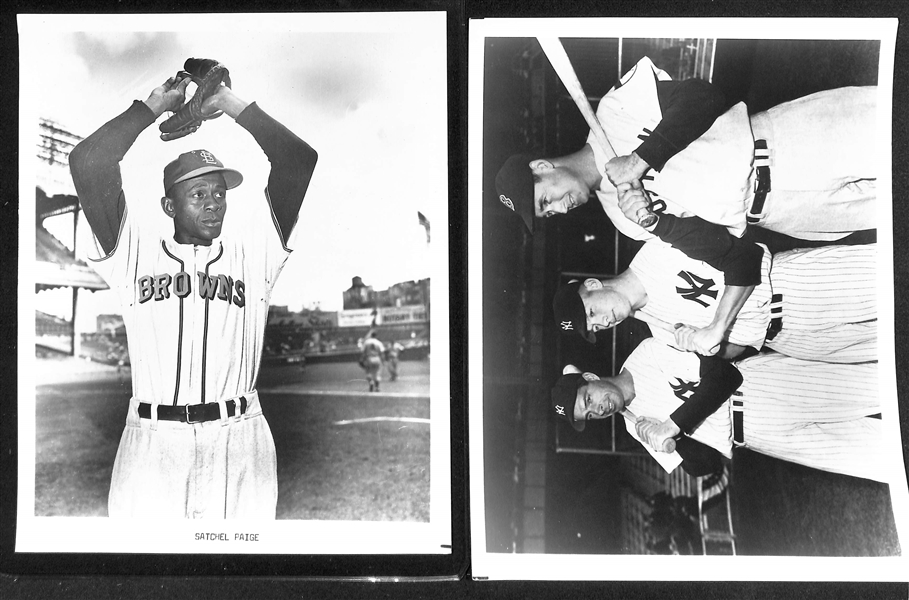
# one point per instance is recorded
(805, 168)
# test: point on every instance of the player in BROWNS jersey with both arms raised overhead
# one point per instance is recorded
(196, 443)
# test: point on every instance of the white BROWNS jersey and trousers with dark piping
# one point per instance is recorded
(195, 318)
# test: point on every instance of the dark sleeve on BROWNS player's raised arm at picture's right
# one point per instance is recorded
(292, 164)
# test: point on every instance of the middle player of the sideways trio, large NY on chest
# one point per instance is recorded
(704, 290)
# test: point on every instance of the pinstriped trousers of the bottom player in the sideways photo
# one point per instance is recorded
(811, 413)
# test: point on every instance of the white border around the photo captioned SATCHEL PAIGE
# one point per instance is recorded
(290, 537)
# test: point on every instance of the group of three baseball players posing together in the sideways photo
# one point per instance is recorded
(709, 175)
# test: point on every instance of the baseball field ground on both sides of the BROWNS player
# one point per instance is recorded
(343, 453)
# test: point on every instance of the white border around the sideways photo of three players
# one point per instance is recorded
(493, 565)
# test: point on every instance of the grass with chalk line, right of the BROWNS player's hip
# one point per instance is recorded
(371, 470)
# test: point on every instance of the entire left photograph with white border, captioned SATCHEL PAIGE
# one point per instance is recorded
(273, 378)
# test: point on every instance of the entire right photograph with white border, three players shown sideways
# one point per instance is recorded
(681, 302)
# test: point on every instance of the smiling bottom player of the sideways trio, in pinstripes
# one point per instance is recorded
(816, 414)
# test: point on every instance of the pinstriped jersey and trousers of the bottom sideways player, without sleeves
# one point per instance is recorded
(812, 413)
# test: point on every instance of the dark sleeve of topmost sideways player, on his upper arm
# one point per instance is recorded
(689, 109)
